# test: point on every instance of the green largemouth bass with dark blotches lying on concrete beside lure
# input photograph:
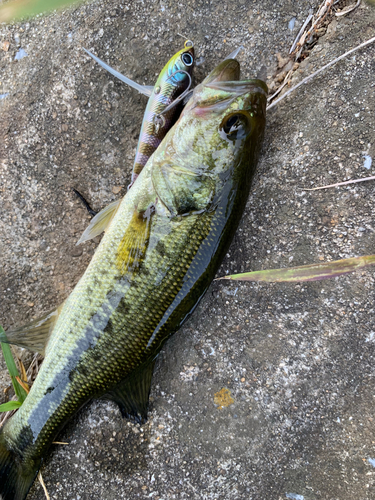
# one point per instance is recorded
(152, 267)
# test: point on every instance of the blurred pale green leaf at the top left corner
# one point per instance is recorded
(19, 9)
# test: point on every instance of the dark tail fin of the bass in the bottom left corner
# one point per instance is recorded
(16, 479)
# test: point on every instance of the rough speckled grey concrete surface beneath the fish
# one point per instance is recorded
(297, 359)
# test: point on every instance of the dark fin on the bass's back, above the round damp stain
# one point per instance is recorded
(132, 393)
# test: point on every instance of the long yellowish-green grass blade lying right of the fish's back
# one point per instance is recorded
(311, 272)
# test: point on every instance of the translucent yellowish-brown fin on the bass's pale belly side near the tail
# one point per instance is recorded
(35, 335)
